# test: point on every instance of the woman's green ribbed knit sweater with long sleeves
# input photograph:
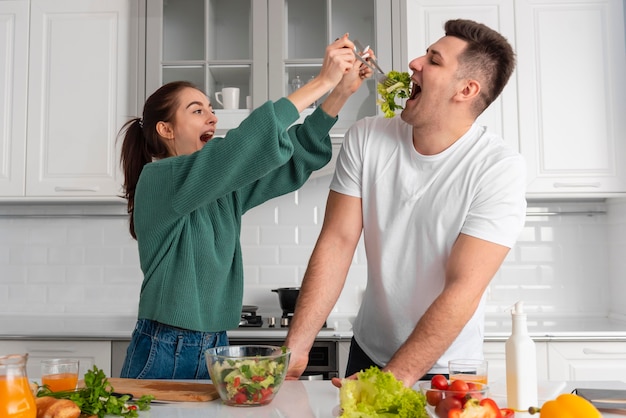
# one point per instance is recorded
(188, 213)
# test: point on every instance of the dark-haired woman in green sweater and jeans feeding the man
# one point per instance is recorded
(186, 194)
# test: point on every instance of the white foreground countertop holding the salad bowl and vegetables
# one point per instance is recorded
(320, 399)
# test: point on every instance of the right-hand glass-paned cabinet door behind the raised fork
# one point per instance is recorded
(301, 34)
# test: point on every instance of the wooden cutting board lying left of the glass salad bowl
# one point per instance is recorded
(166, 390)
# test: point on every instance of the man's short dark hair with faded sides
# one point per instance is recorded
(488, 56)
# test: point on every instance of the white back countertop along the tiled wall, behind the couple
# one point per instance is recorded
(119, 327)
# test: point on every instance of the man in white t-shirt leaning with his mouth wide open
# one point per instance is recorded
(439, 201)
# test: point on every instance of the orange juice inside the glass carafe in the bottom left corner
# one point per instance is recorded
(16, 398)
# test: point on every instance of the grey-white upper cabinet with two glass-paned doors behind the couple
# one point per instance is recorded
(260, 47)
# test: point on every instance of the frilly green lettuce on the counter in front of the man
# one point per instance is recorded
(379, 394)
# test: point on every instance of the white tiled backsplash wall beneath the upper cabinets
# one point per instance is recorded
(80, 259)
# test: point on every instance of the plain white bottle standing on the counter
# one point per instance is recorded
(521, 363)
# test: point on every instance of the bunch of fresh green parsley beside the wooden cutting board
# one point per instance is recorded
(97, 398)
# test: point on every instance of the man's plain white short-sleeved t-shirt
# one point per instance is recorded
(414, 207)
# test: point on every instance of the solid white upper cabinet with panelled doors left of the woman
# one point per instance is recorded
(81, 59)
